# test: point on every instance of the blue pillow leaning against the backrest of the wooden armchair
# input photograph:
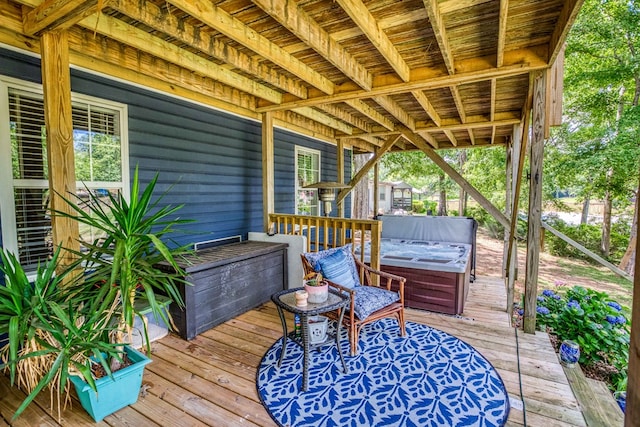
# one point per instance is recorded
(335, 265)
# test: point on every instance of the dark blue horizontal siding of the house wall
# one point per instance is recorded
(210, 160)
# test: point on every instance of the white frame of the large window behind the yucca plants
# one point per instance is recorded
(7, 202)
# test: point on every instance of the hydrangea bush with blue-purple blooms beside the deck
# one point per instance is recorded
(591, 319)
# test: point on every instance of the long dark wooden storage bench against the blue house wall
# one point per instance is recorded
(227, 281)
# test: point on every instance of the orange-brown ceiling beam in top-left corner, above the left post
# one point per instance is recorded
(59, 14)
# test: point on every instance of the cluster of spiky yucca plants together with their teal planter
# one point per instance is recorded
(60, 327)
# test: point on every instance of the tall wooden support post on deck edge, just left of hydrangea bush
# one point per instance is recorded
(535, 203)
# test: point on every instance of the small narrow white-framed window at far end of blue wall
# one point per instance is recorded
(307, 172)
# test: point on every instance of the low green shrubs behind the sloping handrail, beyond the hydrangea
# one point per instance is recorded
(588, 236)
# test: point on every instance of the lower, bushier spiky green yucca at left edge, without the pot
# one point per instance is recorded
(53, 329)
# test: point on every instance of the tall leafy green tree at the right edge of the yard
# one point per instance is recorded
(597, 148)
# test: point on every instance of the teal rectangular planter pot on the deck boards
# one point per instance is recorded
(113, 393)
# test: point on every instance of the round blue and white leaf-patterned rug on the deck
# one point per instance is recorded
(428, 378)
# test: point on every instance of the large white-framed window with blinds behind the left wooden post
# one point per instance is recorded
(100, 164)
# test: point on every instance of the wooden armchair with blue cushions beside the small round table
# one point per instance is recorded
(386, 300)
